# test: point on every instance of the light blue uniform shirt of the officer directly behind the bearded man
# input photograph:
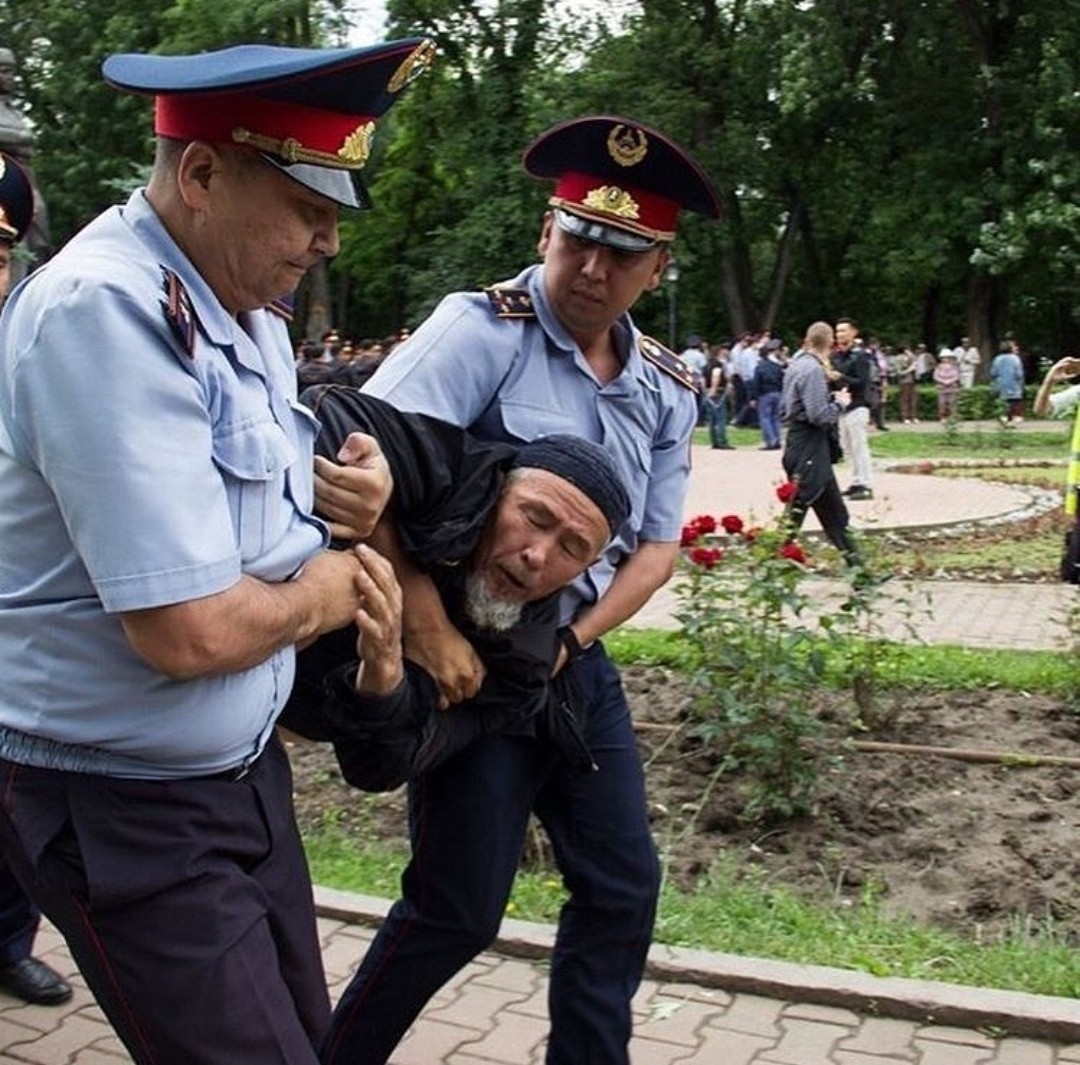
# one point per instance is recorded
(519, 379)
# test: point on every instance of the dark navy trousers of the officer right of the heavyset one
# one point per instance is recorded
(468, 823)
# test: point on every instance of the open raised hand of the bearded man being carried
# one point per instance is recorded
(380, 622)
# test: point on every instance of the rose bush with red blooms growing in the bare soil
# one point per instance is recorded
(759, 655)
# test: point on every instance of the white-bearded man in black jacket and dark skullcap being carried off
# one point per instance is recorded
(502, 530)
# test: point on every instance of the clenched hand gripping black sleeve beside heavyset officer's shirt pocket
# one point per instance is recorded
(353, 496)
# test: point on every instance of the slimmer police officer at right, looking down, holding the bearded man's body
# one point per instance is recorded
(553, 350)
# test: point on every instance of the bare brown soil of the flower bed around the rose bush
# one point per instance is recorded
(966, 846)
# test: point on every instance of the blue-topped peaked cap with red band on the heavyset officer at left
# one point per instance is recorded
(310, 113)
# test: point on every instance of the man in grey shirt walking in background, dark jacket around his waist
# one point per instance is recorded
(812, 415)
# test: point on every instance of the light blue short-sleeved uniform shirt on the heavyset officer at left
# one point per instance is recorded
(134, 475)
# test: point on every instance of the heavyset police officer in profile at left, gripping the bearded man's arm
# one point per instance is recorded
(159, 562)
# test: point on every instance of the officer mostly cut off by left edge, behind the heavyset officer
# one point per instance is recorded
(23, 976)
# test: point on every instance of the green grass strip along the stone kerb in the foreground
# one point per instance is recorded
(742, 914)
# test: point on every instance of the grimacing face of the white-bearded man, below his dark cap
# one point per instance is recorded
(544, 533)
